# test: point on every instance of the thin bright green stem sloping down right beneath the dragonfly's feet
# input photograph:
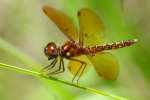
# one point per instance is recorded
(38, 74)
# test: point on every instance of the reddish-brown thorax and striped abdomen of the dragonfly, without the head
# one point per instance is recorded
(71, 48)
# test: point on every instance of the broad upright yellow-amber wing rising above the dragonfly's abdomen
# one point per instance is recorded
(91, 28)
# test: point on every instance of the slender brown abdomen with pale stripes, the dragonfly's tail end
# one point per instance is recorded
(109, 46)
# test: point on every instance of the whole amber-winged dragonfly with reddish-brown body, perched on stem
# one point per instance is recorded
(86, 44)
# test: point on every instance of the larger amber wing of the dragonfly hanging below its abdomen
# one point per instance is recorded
(105, 64)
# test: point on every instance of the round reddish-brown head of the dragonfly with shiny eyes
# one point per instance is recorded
(51, 50)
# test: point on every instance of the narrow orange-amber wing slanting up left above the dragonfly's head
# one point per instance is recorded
(62, 21)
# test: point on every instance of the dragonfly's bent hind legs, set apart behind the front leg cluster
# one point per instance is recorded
(80, 70)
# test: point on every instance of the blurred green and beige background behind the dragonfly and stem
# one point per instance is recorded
(25, 30)
